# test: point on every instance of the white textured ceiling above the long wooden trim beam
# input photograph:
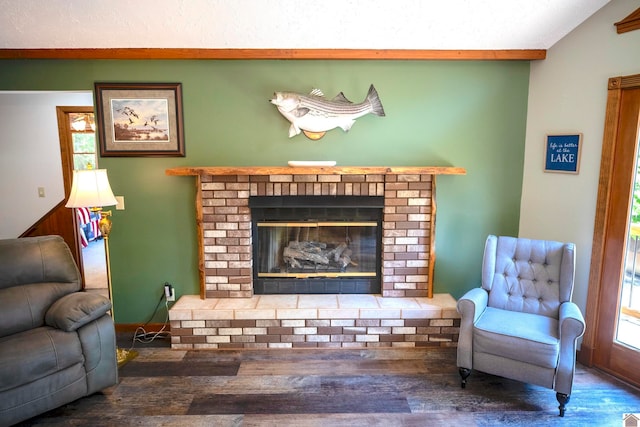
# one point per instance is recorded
(281, 24)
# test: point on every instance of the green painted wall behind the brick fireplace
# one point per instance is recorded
(469, 114)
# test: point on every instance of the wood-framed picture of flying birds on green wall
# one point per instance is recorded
(140, 119)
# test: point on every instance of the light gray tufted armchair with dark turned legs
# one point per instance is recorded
(521, 323)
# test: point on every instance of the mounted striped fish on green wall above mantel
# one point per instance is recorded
(314, 114)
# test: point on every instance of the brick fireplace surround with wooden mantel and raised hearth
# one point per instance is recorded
(226, 264)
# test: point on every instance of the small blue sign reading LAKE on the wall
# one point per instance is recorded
(562, 153)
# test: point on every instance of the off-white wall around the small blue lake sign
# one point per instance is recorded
(567, 93)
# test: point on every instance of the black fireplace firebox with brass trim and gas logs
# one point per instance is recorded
(316, 244)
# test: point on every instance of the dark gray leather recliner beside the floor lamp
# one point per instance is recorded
(57, 343)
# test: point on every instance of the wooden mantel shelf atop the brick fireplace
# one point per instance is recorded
(333, 170)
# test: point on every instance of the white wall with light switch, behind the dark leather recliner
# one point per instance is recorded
(30, 155)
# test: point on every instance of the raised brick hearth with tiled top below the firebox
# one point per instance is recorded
(304, 321)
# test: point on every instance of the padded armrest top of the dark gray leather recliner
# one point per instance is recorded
(76, 310)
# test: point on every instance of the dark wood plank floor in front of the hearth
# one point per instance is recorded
(386, 387)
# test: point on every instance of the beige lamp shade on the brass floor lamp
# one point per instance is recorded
(90, 188)
